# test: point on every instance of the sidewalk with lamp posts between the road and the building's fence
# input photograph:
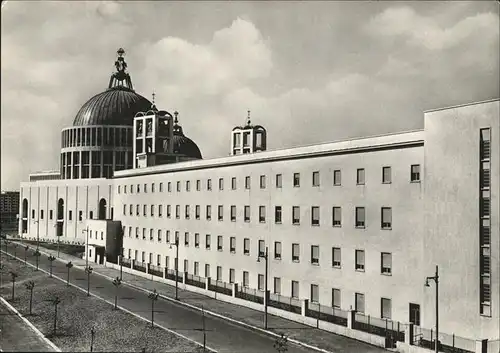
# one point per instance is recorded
(304, 335)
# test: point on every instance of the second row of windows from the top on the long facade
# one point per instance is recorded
(360, 214)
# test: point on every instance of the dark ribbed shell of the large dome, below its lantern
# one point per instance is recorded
(115, 106)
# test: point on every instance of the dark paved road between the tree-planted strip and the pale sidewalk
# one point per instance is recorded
(222, 336)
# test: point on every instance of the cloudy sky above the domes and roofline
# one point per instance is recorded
(309, 72)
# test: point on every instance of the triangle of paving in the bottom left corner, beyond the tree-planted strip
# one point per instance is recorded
(17, 336)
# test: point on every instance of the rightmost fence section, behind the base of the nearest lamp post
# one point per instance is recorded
(447, 343)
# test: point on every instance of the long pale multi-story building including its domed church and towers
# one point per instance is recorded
(353, 225)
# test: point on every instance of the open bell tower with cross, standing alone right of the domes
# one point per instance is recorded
(248, 138)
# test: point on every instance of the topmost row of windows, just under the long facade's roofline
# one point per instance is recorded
(337, 181)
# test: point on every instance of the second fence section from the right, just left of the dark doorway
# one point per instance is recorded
(392, 330)
